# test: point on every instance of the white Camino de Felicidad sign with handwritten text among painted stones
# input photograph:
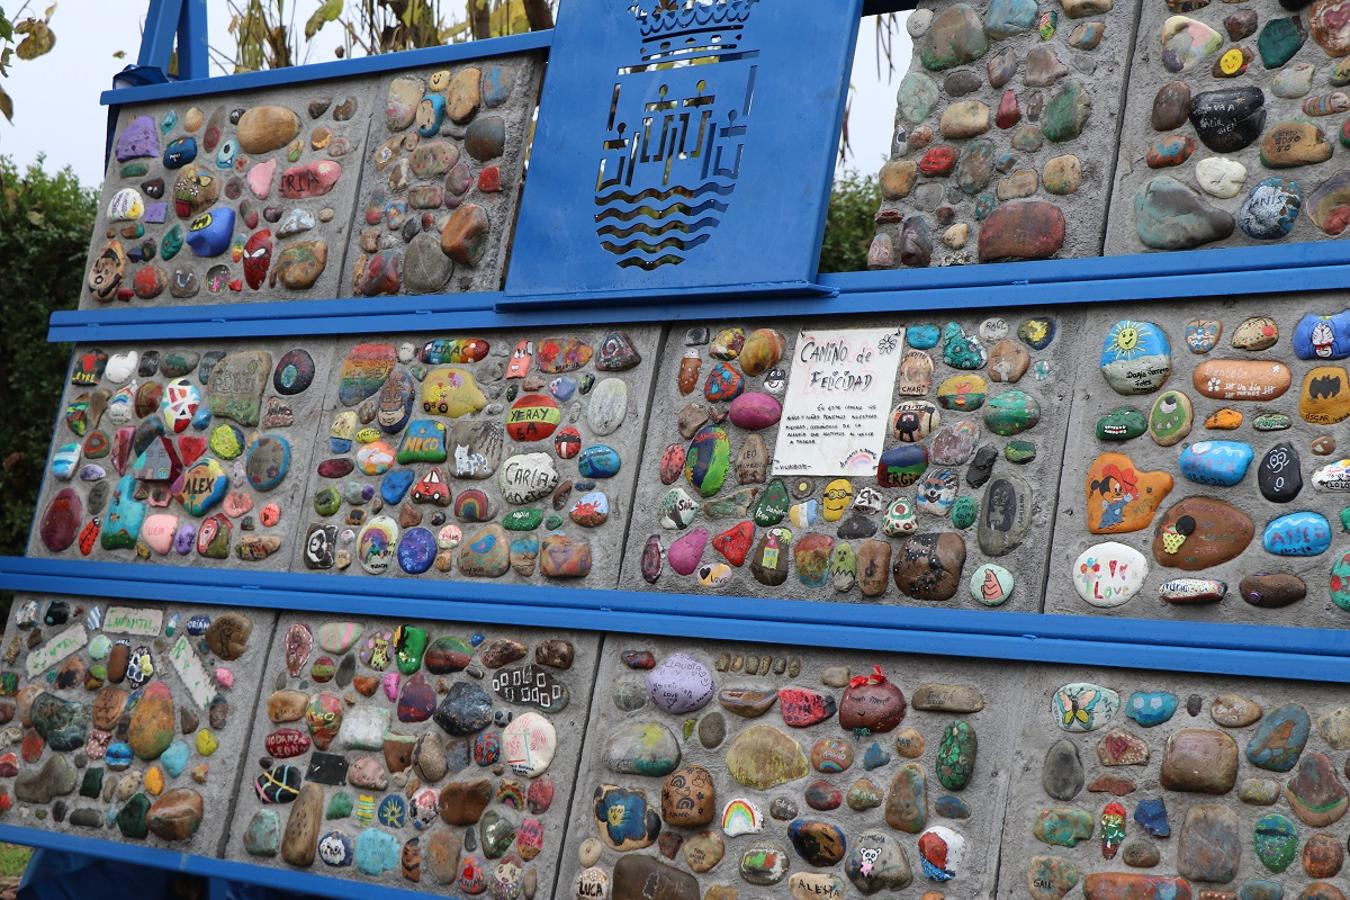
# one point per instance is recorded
(839, 397)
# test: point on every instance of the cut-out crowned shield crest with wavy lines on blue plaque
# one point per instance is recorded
(676, 134)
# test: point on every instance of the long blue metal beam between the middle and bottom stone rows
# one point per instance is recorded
(1191, 647)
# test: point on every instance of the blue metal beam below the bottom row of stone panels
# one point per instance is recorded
(303, 883)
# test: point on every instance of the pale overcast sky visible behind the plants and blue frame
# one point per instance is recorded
(57, 109)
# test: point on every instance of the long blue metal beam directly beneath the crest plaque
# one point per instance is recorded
(1141, 277)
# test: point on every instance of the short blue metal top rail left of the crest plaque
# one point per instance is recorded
(330, 71)
